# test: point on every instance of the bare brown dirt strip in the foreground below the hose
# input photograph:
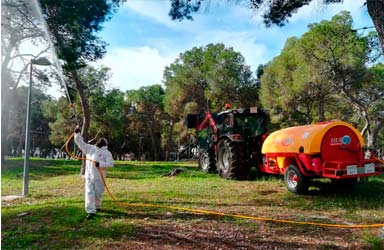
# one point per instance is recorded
(221, 235)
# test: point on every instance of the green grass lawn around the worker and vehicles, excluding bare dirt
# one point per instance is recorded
(55, 204)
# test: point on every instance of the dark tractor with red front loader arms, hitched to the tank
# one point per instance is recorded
(229, 142)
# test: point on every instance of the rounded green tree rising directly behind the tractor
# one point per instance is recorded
(205, 78)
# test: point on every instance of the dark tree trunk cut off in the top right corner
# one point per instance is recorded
(376, 11)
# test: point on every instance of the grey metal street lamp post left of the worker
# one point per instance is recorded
(44, 62)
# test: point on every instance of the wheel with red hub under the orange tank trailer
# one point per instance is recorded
(295, 180)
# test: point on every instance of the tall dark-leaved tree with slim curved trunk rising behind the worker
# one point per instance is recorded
(73, 27)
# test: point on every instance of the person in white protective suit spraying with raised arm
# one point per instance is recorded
(94, 186)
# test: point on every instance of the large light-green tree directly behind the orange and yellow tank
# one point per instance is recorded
(328, 68)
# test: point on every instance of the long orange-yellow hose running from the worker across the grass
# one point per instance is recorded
(210, 212)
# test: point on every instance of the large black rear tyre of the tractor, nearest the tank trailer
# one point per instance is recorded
(231, 162)
